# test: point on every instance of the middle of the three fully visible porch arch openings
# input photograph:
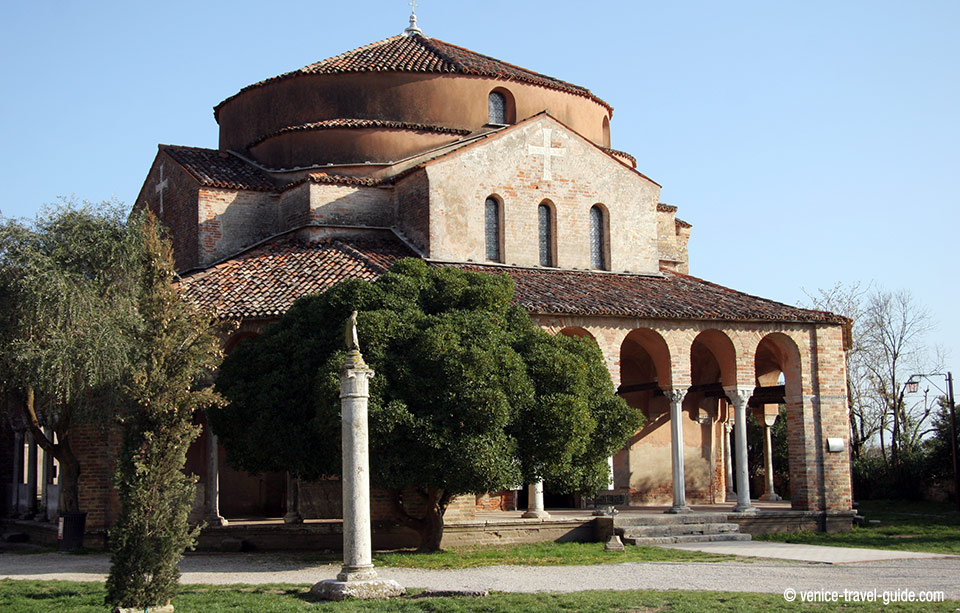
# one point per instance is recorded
(707, 460)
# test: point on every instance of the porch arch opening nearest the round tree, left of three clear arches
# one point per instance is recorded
(644, 465)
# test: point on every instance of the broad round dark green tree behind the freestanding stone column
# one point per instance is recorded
(469, 397)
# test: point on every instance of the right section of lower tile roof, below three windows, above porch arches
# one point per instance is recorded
(672, 296)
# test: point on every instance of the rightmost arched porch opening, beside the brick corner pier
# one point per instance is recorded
(776, 438)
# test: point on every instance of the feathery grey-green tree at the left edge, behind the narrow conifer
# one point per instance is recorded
(65, 282)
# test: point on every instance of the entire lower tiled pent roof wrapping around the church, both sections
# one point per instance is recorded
(265, 282)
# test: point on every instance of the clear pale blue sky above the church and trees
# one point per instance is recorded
(808, 143)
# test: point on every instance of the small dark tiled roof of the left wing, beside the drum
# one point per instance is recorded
(213, 168)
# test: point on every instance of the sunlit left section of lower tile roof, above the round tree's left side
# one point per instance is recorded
(265, 281)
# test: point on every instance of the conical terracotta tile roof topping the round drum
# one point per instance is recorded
(421, 54)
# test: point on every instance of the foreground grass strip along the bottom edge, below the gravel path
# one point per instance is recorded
(57, 596)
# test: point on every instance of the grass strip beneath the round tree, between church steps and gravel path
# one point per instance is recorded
(541, 554)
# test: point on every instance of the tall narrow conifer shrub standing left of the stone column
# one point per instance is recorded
(175, 349)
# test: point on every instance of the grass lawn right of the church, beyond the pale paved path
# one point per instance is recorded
(904, 525)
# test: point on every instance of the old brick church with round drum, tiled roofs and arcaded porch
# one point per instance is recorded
(415, 147)
